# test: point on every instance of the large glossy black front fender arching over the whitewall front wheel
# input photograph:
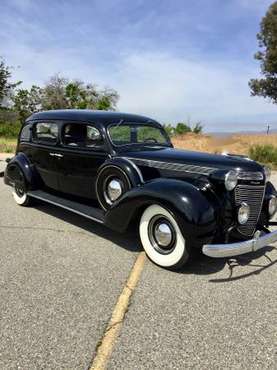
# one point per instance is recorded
(191, 209)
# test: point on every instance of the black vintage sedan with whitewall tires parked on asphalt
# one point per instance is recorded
(115, 168)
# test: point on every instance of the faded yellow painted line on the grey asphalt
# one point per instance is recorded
(113, 329)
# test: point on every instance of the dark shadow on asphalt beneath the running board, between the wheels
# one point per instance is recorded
(128, 240)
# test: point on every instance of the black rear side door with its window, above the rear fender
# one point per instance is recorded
(45, 139)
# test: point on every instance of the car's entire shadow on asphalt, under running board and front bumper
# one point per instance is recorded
(200, 265)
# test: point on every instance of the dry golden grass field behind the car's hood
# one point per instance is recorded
(237, 143)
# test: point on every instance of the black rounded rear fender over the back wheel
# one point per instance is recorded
(12, 171)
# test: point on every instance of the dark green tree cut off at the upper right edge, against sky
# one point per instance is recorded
(267, 38)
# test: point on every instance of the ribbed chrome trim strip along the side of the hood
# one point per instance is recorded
(173, 166)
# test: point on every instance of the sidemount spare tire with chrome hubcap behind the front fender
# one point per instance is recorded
(112, 182)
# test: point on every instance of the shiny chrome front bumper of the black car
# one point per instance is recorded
(235, 249)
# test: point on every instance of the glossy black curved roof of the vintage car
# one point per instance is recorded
(105, 117)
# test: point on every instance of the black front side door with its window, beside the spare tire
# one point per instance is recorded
(83, 153)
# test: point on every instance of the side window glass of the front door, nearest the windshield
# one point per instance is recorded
(80, 135)
